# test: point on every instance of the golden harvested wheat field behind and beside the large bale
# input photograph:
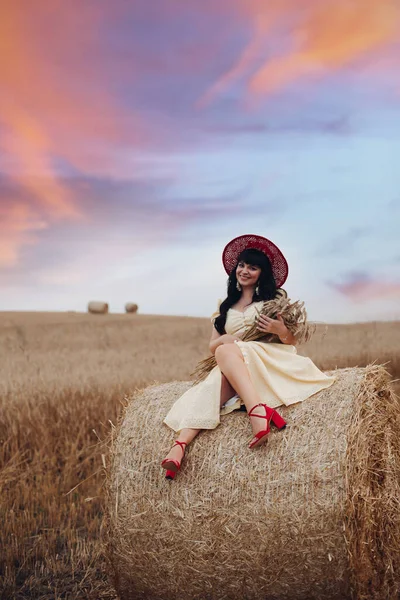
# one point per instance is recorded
(64, 381)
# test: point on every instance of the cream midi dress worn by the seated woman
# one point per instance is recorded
(278, 373)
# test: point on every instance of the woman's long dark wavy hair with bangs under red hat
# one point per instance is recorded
(266, 284)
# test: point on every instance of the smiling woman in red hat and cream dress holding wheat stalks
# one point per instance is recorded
(254, 361)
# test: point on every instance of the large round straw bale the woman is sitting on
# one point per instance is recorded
(314, 514)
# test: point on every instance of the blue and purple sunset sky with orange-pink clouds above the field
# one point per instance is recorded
(138, 138)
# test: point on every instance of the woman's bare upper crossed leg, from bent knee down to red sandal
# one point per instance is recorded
(230, 361)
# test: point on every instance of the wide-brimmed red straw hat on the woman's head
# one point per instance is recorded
(278, 262)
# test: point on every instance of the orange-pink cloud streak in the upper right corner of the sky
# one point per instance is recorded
(323, 37)
